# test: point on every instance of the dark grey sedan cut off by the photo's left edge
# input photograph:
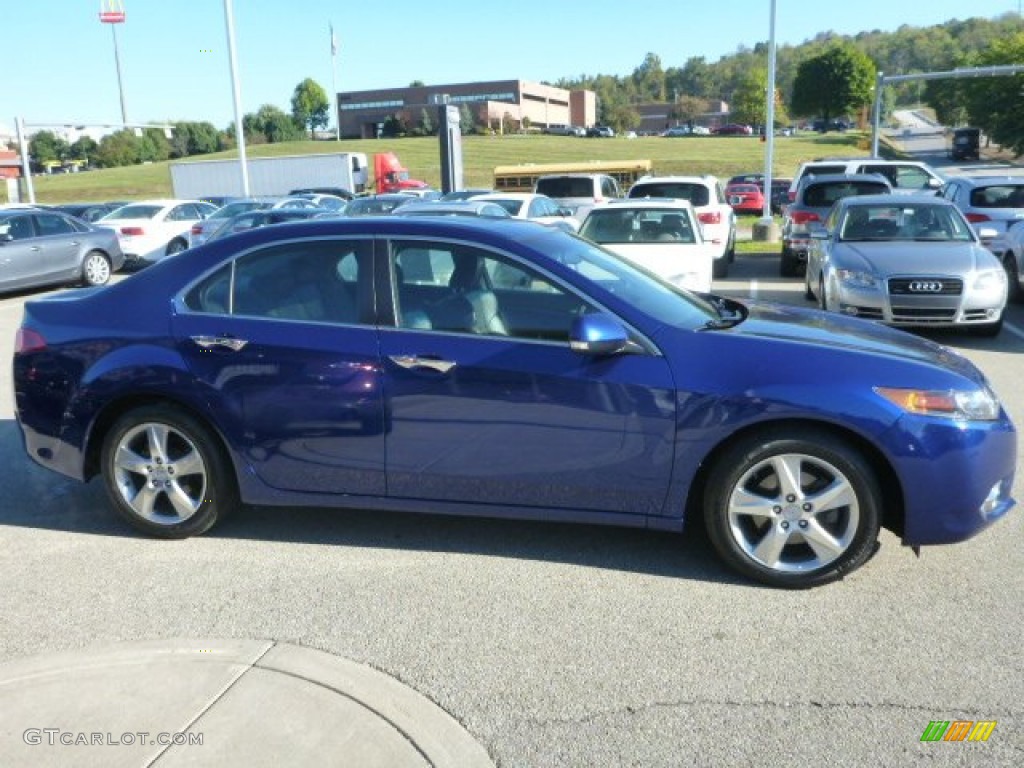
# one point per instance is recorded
(45, 248)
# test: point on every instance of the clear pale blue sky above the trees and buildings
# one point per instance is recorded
(59, 65)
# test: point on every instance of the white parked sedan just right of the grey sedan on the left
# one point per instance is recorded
(153, 230)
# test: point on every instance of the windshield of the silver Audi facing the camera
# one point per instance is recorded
(895, 222)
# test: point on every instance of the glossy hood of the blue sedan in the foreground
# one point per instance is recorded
(836, 332)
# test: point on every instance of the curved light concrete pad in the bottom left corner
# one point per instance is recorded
(219, 703)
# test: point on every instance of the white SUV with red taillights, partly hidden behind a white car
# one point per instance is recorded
(707, 195)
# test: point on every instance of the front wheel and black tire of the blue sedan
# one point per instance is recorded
(775, 534)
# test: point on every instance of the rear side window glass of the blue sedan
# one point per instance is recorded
(310, 281)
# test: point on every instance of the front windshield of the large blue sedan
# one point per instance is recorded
(645, 290)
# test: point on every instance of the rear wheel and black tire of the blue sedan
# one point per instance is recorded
(166, 474)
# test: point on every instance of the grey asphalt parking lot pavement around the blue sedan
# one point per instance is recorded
(557, 645)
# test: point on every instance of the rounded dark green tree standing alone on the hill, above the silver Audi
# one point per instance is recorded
(835, 83)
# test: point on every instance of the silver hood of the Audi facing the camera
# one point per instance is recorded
(910, 258)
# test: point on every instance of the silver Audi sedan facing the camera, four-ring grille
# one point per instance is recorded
(906, 261)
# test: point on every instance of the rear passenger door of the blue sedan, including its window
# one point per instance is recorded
(285, 343)
